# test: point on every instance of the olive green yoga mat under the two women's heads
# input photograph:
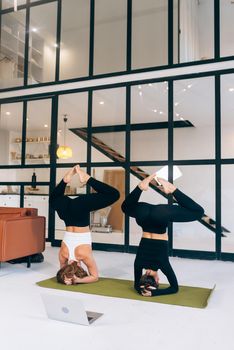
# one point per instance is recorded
(118, 288)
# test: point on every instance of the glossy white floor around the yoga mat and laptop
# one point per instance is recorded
(126, 324)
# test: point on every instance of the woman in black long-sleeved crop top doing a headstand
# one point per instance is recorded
(152, 252)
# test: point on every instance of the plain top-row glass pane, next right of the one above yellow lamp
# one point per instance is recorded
(110, 36)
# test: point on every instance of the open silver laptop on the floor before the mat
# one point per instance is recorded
(68, 309)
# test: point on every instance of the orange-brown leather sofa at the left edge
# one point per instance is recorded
(22, 233)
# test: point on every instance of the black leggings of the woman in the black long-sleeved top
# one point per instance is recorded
(155, 218)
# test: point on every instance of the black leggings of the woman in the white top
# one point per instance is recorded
(76, 212)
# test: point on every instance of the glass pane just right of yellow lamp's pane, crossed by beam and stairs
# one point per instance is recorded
(108, 113)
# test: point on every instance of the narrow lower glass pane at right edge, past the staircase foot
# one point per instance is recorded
(227, 204)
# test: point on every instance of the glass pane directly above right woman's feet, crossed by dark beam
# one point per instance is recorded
(149, 112)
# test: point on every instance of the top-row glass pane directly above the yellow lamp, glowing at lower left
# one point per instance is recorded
(74, 51)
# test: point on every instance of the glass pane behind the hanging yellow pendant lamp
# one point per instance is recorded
(75, 107)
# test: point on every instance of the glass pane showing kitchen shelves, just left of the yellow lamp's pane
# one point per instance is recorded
(38, 132)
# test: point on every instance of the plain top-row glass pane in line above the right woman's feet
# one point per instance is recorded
(149, 33)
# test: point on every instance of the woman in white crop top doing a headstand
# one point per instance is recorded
(77, 245)
